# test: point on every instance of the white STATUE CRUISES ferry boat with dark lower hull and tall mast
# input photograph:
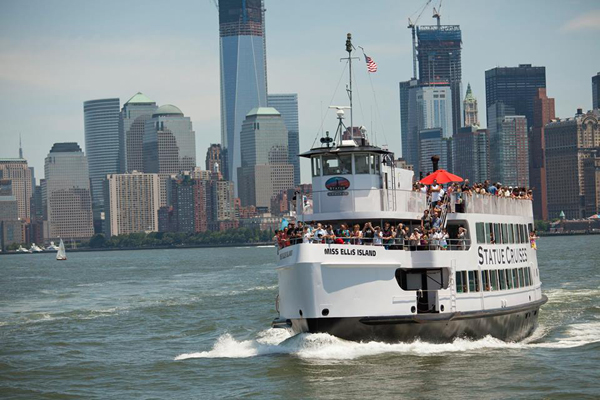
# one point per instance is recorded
(485, 283)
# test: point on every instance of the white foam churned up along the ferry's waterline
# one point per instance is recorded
(322, 346)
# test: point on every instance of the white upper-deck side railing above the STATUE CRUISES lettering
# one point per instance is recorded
(487, 204)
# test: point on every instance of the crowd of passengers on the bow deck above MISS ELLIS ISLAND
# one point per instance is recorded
(429, 236)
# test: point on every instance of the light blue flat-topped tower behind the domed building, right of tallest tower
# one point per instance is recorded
(287, 105)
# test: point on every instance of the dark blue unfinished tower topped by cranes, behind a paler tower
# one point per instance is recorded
(439, 55)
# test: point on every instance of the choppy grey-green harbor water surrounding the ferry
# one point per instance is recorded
(194, 323)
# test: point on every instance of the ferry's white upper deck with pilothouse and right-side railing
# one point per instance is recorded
(352, 181)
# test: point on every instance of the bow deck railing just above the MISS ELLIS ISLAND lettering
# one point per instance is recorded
(388, 244)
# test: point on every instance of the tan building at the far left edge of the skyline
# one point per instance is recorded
(16, 170)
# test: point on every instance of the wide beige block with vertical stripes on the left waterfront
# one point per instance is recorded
(132, 202)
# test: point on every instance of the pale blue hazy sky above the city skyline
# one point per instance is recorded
(56, 54)
